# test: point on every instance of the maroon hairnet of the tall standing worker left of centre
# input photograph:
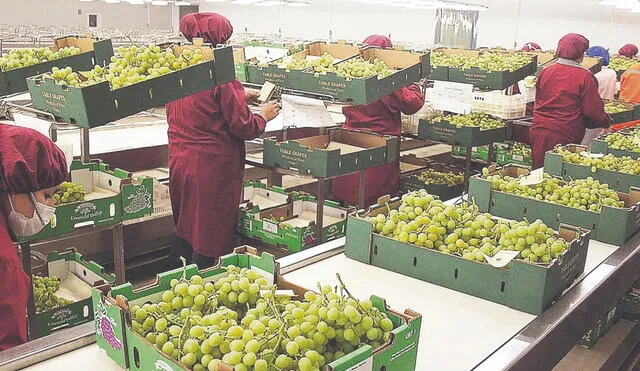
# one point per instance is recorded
(211, 27)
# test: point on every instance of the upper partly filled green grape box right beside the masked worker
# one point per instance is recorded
(96, 196)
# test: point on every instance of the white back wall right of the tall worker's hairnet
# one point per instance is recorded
(507, 22)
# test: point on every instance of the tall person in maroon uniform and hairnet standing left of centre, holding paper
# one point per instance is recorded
(207, 132)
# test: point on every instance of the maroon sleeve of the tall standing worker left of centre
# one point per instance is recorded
(242, 122)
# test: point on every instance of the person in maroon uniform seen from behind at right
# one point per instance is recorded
(567, 100)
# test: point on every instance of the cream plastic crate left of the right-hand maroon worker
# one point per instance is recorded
(496, 104)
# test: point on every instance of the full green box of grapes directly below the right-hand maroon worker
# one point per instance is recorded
(576, 162)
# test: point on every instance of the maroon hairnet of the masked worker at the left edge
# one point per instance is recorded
(29, 161)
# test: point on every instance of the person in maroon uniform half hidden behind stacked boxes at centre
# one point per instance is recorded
(381, 116)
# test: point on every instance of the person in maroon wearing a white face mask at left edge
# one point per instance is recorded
(31, 168)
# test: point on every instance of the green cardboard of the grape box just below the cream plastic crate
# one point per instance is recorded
(463, 136)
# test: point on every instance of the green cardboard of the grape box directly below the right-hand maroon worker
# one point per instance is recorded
(555, 165)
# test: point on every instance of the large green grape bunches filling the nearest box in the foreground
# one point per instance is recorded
(241, 320)
